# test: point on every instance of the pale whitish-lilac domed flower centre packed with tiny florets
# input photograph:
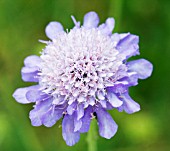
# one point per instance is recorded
(80, 65)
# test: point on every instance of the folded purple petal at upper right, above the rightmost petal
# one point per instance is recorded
(128, 45)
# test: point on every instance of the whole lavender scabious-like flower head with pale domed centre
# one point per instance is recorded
(81, 74)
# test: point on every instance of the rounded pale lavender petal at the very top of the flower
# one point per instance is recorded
(91, 20)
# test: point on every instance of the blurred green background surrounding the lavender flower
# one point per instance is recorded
(22, 24)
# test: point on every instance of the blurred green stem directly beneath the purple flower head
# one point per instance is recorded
(92, 136)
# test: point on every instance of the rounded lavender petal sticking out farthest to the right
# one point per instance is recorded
(142, 67)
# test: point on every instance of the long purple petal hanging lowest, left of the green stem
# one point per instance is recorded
(68, 133)
